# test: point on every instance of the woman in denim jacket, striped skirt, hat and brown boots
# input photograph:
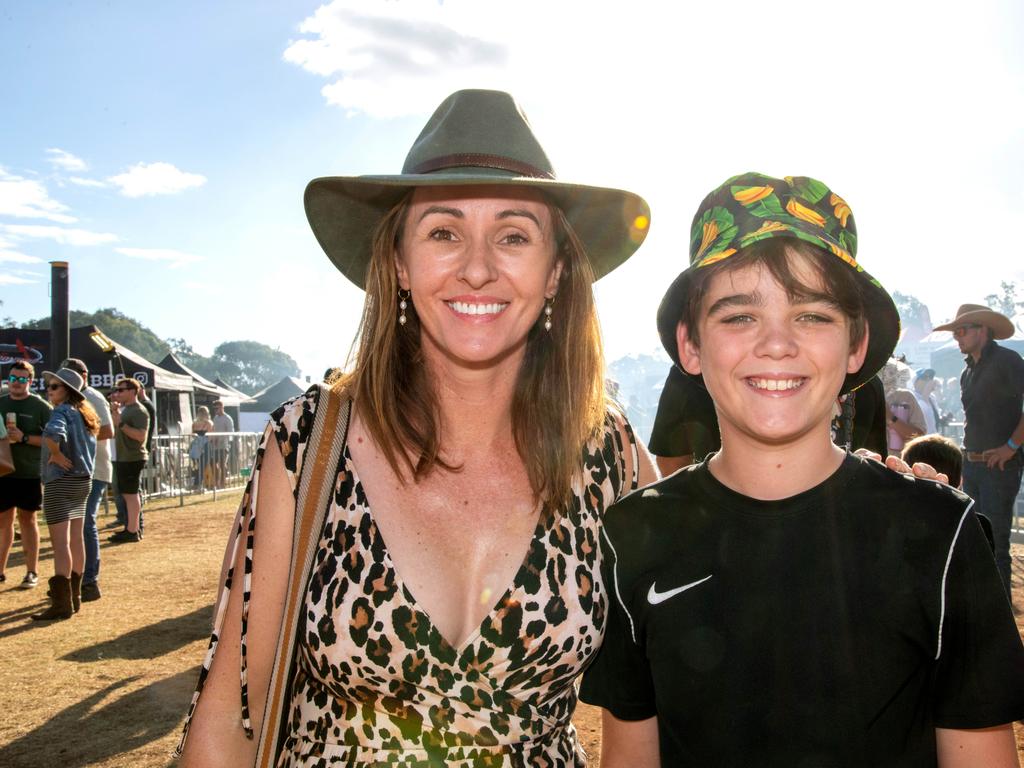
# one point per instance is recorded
(68, 456)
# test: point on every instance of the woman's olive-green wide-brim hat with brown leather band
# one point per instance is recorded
(475, 138)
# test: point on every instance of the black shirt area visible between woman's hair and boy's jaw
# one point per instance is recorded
(687, 423)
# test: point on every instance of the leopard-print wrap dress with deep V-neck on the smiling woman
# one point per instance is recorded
(377, 685)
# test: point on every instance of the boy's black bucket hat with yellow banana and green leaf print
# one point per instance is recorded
(752, 207)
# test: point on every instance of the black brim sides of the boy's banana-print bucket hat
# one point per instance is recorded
(880, 312)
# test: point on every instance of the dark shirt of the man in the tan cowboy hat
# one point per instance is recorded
(993, 392)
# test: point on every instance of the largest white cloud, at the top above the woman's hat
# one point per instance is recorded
(395, 59)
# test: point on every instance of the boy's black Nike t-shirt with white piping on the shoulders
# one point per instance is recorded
(836, 628)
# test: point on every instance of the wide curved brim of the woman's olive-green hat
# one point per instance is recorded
(345, 211)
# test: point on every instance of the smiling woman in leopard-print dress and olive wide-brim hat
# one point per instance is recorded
(455, 594)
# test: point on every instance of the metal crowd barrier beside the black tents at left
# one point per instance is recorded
(187, 465)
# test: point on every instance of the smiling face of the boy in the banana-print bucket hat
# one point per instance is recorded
(774, 364)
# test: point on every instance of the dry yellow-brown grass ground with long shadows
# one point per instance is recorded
(111, 687)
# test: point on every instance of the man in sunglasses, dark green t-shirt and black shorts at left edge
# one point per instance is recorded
(25, 416)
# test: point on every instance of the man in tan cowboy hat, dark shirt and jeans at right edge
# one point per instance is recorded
(993, 393)
